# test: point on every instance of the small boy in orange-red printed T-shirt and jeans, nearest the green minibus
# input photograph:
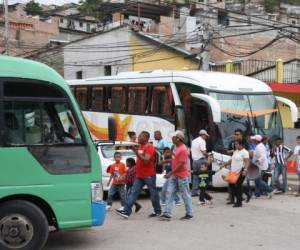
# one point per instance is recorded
(117, 176)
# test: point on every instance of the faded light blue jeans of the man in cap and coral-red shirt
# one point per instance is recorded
(181, 184)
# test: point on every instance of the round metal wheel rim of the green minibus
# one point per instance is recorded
(16, 231)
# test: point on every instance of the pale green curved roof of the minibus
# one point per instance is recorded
(28, 69)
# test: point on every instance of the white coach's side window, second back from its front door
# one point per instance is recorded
(137, 97)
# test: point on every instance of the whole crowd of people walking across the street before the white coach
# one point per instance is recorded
(246, 155)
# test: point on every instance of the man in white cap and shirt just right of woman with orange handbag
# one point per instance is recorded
(260, 159)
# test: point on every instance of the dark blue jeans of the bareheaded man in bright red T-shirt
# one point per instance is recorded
(139, 183)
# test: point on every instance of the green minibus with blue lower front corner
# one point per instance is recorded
(50, 170)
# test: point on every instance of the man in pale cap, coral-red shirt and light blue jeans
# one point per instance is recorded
(179, 178)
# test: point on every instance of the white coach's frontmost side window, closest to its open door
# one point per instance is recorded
(162, 101)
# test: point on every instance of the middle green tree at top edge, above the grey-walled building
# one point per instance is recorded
(90, 8)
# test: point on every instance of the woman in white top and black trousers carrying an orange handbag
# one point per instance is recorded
(238, 163)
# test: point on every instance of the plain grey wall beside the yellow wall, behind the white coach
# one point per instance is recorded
(108, 48)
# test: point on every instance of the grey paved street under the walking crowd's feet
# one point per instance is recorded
(261, 224)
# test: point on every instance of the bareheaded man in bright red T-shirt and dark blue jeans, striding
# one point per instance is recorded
(145, 175)
